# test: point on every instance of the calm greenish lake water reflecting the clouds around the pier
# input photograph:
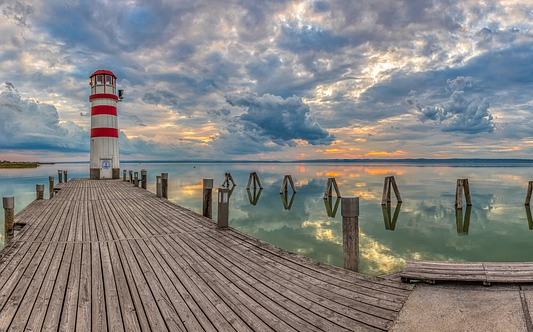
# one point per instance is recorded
(496, 228)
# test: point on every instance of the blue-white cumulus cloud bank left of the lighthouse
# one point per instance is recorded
(27, 124)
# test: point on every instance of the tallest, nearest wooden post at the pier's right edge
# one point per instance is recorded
(350, 232)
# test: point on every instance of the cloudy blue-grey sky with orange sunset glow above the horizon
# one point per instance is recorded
(270, 79)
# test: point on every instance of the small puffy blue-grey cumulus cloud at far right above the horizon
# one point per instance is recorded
(458, 113)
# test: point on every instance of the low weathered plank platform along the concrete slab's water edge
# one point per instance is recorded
(487, 273)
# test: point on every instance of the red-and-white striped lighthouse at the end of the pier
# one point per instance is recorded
(104, 162)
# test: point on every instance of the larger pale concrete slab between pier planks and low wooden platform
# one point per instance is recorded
(462, 307)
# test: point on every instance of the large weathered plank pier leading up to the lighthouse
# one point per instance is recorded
(106, 256)
